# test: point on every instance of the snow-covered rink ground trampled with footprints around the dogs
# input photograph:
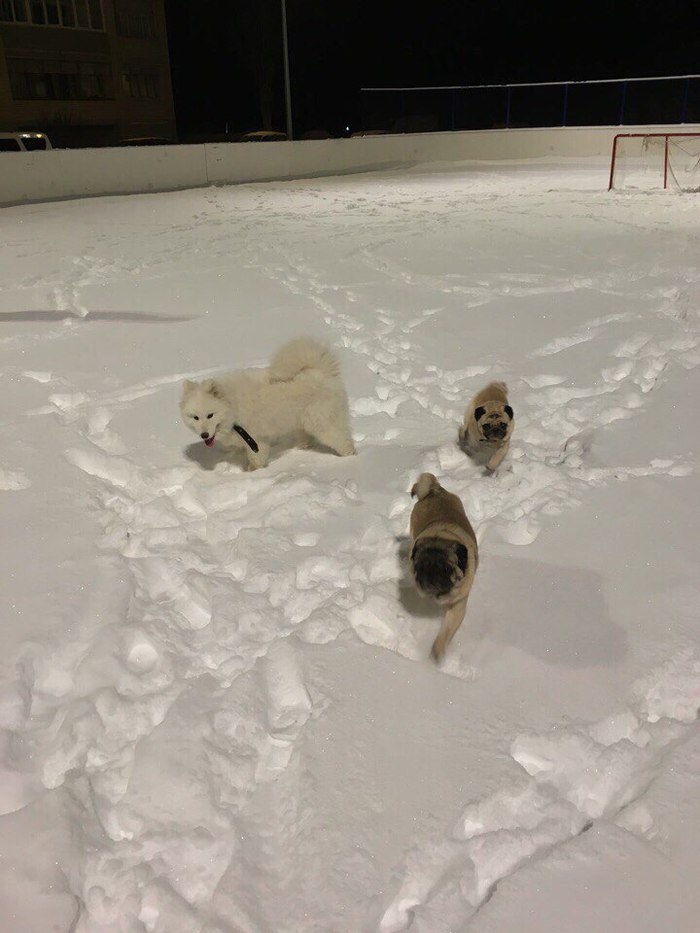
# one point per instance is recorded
(218, 708)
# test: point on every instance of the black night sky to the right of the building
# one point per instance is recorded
(223, 51)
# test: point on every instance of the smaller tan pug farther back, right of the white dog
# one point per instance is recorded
(488, 425)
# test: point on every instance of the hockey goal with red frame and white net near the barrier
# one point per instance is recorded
(646, 161)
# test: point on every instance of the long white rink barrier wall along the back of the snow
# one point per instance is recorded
(74, 173)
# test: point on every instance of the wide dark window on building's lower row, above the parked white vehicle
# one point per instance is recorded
(31, 79)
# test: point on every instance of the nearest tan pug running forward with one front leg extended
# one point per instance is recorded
(444, 554)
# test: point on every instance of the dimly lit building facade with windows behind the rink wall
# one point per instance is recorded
(86, 72)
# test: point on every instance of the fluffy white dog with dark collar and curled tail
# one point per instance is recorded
(299, 395)
